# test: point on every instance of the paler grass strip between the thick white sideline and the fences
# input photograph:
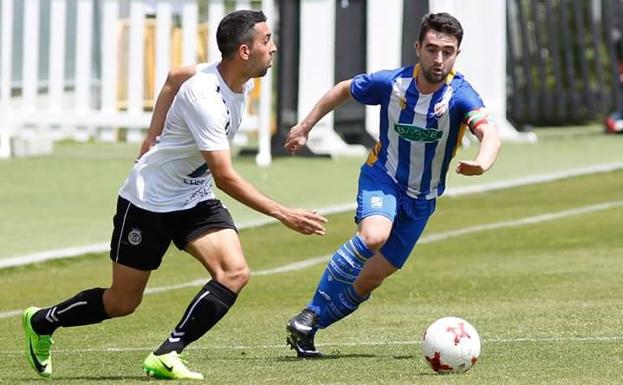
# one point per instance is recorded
(68, 199)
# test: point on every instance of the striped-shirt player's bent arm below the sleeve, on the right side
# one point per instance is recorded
(490, 144)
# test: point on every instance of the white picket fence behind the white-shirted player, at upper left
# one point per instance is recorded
(114, 78)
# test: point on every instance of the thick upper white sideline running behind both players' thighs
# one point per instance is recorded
(484, 187)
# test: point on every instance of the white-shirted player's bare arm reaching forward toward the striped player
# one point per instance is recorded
(234, 185)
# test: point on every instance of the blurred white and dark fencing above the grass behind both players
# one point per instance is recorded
(90, 69)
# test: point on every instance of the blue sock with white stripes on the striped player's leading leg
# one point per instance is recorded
(342, 270)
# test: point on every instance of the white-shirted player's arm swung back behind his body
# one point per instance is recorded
(175, 79)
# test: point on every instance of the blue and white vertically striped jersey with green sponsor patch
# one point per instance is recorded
(419, 133)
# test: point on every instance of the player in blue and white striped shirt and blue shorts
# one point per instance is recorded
(424, 111)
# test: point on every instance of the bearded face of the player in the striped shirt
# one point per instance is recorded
(437, 54)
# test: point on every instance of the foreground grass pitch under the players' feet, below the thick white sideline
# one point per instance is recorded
(544, 293)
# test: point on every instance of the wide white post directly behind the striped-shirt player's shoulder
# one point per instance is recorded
(384, 48)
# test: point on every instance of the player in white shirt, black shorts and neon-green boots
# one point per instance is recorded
(169, 196)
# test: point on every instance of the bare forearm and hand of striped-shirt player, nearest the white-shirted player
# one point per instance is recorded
(297, 137)
